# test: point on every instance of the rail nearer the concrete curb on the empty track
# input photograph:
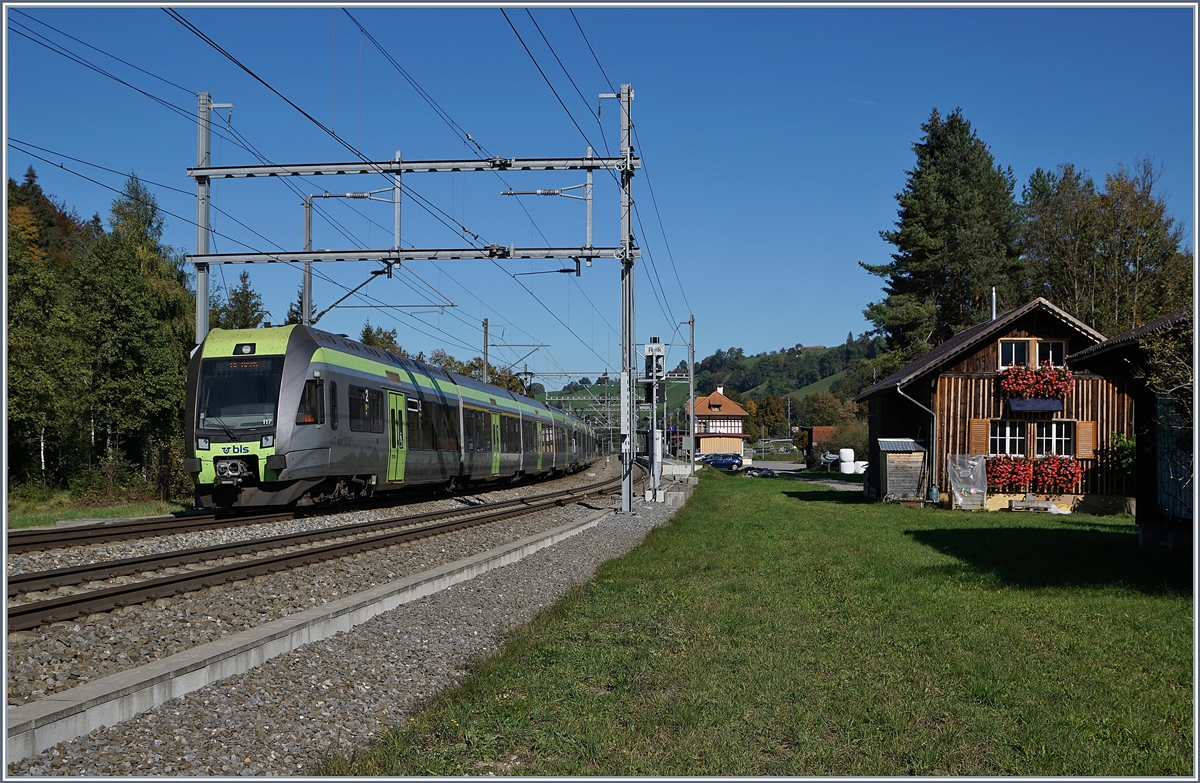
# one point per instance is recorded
(47, 612)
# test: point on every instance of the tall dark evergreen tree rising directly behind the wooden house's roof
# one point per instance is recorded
(956, 240)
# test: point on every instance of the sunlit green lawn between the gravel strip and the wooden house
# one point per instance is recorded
(782, 629)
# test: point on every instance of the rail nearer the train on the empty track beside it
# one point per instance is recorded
(33, 582)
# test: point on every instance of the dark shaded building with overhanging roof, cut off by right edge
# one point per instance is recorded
(1165, 461)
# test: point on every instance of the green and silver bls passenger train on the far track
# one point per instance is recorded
(297, 416)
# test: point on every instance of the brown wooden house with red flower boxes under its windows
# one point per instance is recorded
(1003, 391)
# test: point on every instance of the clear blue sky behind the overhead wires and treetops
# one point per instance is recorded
(775, 140)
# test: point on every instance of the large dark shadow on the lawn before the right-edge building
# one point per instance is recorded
(1047, 558)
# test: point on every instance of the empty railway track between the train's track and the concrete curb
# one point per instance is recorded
(412, 528)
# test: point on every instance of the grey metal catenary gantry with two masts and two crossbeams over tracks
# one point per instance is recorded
(628, 253)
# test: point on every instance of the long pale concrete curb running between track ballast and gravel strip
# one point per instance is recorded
(35, 727)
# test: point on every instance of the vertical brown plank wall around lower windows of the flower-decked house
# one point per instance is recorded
(961, 398)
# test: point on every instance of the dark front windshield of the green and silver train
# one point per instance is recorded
(239, 395)
